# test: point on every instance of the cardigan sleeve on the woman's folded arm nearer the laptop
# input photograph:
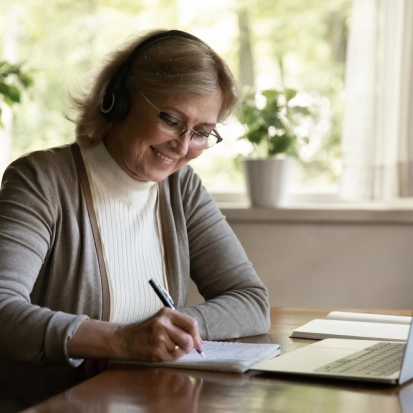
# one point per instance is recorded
(236, 301)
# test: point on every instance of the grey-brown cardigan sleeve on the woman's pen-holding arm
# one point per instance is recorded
(29, 333)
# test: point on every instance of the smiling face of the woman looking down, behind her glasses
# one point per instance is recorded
(145, 153)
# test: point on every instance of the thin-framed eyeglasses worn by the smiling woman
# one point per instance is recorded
(172, 126)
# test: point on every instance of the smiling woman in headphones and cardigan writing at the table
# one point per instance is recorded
(84, 227)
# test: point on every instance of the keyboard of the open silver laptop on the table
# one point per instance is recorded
(382, 359)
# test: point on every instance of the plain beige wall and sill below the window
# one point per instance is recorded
(339, 259)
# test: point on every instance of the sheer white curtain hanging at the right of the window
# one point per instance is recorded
(378, 123)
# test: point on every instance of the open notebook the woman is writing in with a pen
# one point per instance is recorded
(219, 356)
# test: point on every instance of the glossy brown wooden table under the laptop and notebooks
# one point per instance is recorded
(137, 389)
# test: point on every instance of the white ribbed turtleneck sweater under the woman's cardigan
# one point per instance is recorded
(127, 216)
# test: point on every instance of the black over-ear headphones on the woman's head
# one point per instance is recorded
(116, 100)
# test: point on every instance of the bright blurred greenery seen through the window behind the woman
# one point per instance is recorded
(299, 44)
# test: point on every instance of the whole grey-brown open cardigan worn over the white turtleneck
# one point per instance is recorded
(49, 273)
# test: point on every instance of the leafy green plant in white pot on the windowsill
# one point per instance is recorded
(270, 118)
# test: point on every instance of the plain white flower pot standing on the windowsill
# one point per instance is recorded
(266, 181)
